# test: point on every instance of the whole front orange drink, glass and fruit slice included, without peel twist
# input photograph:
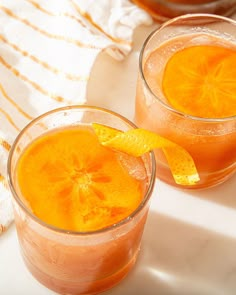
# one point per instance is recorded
(80, 208)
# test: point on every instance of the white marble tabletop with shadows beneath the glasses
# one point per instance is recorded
(189, 243)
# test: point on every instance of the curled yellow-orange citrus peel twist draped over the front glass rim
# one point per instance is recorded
(138, 141)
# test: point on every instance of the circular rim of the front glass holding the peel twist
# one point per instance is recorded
(53, 228)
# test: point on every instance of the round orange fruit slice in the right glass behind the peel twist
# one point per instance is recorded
(201, 81)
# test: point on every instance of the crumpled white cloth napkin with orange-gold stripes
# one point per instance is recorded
(47, 50)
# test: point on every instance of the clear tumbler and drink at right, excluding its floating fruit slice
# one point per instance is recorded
(210, 141)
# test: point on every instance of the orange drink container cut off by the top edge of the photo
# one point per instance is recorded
(162, 10)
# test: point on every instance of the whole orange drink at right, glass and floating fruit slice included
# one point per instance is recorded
(186, 92)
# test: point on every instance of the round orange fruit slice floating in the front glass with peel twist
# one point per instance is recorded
(73, 182)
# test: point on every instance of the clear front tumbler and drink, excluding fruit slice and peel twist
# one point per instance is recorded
(71, 262)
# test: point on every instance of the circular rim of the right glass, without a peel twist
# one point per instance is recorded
(141, 59)
